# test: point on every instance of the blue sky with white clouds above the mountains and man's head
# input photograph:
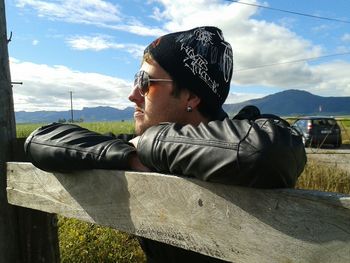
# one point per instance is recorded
(91, 49)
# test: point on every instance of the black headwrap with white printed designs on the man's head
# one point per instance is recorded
(199, 60)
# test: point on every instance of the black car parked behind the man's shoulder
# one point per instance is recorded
(318, 131)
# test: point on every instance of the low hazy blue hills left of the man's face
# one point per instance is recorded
(86, 115)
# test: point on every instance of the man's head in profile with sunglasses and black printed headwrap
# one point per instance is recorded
(188, 87)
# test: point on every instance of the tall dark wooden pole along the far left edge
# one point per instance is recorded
(9, 239)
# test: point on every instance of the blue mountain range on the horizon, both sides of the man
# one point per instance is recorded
(285, 103)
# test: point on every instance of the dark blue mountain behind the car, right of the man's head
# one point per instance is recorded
(296, 102)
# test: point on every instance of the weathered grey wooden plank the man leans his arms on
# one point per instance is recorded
(227, 222)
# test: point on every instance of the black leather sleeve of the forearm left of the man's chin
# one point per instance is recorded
(65, 147)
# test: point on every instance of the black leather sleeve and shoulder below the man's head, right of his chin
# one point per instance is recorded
(263, 153)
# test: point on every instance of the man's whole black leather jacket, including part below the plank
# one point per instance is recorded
(264, 153)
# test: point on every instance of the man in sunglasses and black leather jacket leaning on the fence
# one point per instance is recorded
(182, 129)
